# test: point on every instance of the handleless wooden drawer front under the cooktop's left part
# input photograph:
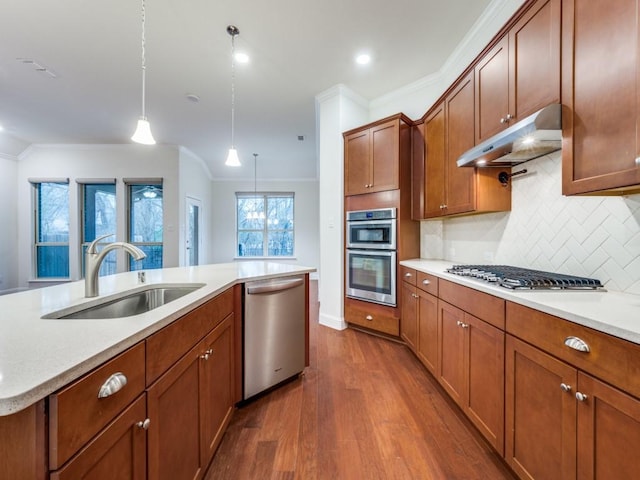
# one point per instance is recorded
(479, 304)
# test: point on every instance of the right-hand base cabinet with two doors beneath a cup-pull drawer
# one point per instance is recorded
(562, 421)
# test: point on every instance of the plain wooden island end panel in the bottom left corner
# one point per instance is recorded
(23, 444)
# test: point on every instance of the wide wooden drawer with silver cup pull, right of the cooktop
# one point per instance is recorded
(611, 359)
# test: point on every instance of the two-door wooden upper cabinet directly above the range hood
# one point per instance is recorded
(521, 73)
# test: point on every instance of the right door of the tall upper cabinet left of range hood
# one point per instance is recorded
(460, 190)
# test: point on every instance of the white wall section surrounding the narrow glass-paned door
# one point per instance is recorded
(195, 182)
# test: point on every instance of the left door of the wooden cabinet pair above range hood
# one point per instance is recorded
(492, 91)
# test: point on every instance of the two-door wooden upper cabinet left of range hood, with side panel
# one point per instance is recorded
(448, 133)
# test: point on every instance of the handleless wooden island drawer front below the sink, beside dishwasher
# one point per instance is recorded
(165, 347)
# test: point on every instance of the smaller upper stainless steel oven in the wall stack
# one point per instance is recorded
(372, 229)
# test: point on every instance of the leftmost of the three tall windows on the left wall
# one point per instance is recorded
(51, 219)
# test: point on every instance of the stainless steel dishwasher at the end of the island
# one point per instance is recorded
(274, 332)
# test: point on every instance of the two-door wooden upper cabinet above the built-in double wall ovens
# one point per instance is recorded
(373, 155)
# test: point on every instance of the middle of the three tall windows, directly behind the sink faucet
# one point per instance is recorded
(98, 216)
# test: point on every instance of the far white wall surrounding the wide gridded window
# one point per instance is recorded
(223, 236)
